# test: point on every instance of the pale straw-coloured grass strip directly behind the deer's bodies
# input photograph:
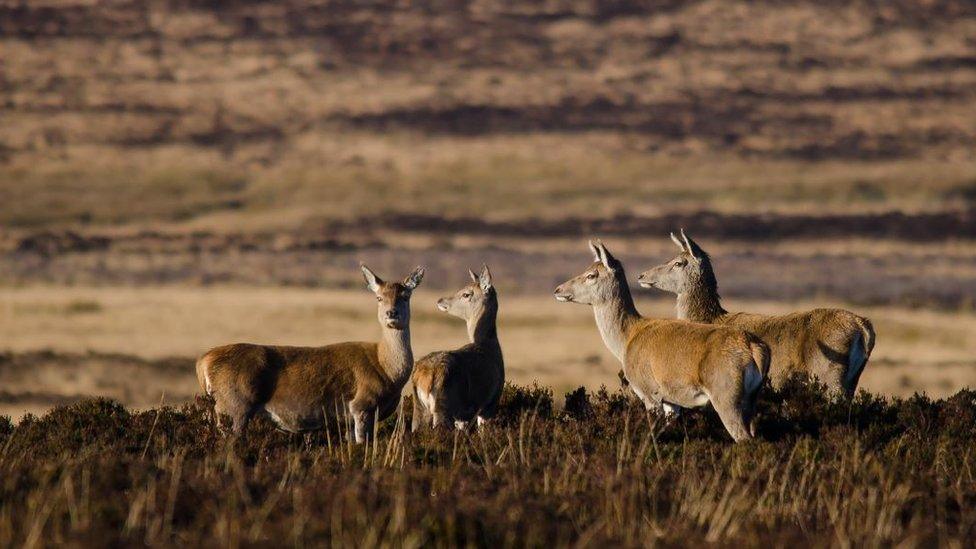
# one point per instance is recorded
(543, 341)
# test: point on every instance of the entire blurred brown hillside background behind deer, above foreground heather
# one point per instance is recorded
(179, 174)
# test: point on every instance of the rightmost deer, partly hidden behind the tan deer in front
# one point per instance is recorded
(831, 345)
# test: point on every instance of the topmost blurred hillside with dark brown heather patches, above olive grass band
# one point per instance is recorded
(797, 79)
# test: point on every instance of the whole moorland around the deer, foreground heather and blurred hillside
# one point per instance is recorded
(178, 174)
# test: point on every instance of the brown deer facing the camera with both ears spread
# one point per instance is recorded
(299, 387)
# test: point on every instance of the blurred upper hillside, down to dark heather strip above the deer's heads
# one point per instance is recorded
(238, 115)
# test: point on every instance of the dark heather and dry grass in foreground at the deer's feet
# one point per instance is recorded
(601, 472)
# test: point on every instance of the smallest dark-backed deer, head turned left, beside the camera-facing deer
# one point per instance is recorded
(465, 383)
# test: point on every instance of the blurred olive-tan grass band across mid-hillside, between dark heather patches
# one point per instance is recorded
(500, 176)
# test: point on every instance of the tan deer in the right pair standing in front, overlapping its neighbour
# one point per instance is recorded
(672, 364)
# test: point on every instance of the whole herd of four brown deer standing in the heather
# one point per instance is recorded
(706, 355)
